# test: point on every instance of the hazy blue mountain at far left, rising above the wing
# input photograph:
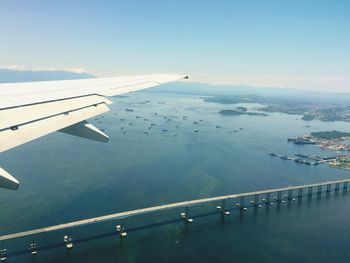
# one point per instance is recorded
(13, 75)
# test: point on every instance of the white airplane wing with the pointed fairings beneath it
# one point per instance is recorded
(30, 110)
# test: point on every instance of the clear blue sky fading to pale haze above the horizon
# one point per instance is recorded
(303, 44)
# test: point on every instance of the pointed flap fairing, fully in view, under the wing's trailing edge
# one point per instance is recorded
(86, 130)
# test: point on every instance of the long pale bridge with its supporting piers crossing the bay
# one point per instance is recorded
(289, 195)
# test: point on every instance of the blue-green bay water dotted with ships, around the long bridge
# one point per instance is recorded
(65, 178)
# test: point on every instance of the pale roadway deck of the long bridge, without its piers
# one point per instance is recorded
(166, 206)
